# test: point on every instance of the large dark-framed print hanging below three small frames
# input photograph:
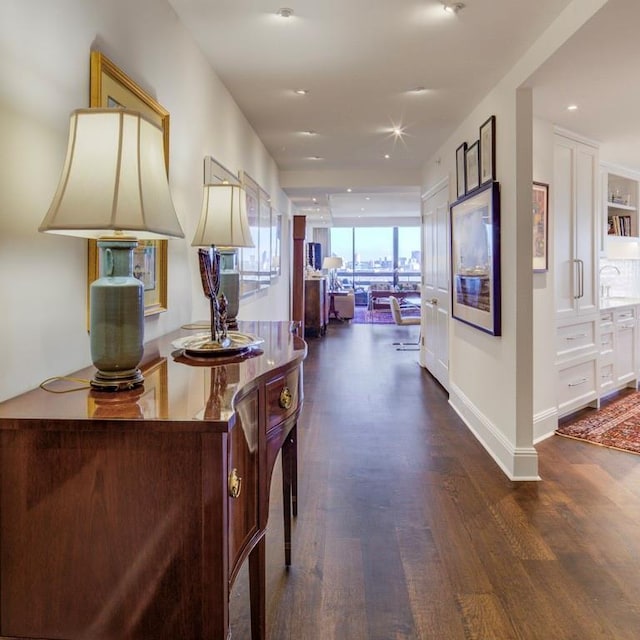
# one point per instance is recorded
(475, 259)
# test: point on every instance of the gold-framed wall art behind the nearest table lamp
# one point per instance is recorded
(112, 88)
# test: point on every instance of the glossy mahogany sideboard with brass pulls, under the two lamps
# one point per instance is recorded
(127, 515)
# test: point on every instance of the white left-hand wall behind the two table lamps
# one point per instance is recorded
(44, 71)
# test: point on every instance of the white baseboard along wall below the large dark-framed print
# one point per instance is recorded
(518, 463)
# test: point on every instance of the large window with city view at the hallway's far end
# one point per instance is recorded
(376, 255)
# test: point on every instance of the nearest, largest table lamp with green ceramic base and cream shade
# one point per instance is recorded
(114, 188)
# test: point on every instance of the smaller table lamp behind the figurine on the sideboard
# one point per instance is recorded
(224, 227)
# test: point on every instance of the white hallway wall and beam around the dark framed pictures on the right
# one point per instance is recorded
(492, 378)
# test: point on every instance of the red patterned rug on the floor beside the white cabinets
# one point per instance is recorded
(616, 425)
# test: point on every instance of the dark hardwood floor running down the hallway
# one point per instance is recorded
(407, 528)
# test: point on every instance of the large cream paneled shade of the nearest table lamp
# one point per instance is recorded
(114, 179)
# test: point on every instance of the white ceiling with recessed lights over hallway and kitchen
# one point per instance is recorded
(360, 60)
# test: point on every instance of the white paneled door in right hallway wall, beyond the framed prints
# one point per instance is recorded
(434, 350)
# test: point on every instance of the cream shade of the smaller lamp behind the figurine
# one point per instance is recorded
(223, 220)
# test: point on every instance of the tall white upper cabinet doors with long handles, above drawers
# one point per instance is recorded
(576, 239)
